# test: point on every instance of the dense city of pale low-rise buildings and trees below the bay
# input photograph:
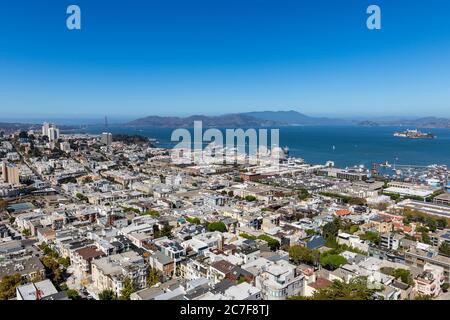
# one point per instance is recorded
(120, 220)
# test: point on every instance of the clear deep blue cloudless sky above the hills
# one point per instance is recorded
(165, 57)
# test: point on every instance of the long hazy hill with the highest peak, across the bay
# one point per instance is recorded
(249, 119)
